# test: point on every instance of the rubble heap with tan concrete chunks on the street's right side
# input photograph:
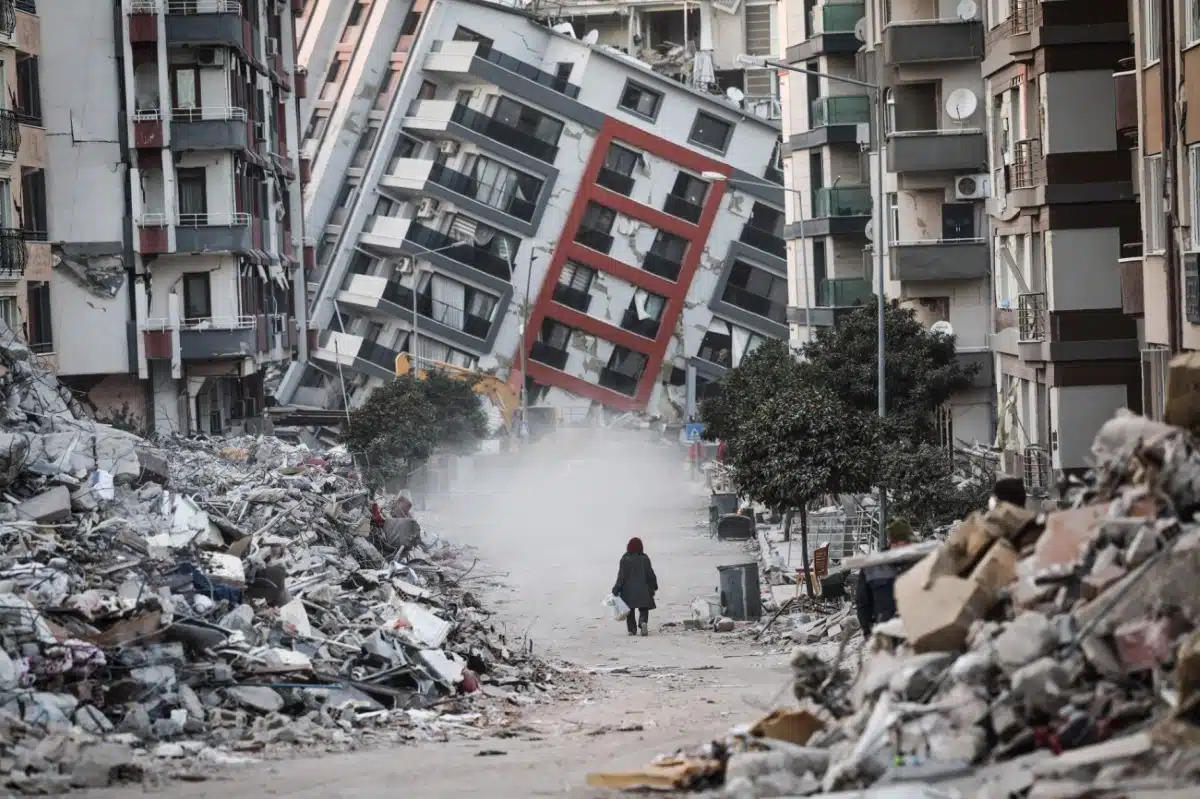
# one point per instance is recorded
(1047, 656)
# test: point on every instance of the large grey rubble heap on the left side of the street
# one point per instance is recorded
(167, 609)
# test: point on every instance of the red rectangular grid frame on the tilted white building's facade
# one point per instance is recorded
(675, 292)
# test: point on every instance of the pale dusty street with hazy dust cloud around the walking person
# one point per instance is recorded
(549, 537)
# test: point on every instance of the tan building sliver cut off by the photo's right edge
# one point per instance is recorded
(1161, 279)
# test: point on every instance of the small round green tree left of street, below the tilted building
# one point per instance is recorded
(403, 423)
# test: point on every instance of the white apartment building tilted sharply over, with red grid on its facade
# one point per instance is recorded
(519, 178)
